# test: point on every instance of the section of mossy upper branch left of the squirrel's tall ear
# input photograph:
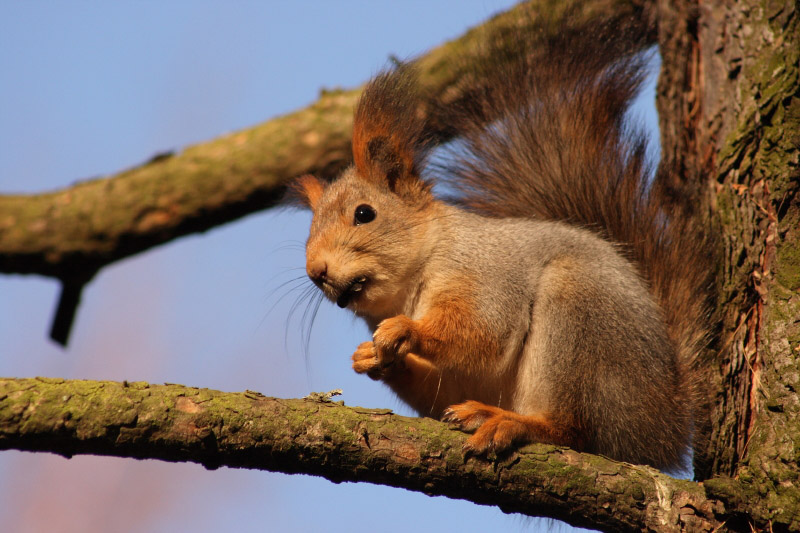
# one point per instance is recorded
(95, 222)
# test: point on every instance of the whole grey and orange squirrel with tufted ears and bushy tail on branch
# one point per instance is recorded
(560, 298)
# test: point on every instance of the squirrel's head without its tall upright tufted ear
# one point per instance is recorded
(368, 238)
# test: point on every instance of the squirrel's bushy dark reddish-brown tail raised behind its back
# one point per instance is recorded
(549, 139)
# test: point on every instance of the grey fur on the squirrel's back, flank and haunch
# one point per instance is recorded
(601, 350)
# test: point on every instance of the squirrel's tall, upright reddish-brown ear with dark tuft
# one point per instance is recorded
(389, 143)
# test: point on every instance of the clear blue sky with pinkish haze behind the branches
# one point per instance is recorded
(90, 88)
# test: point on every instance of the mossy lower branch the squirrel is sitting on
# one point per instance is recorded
(249, 430)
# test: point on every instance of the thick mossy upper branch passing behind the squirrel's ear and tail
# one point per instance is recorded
(71, 233)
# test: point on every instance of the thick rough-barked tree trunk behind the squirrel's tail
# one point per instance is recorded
(730, 107)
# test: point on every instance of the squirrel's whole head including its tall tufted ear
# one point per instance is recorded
(370, 231)
